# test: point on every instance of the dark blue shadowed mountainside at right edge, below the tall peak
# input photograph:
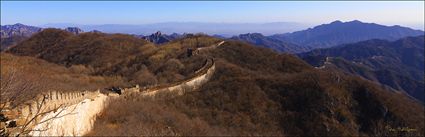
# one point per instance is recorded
(398, 64)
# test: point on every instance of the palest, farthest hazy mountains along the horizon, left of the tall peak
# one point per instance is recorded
(224, 29)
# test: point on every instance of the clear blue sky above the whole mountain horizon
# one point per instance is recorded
(131, 12)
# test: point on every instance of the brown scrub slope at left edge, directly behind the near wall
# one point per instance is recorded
(43, 76)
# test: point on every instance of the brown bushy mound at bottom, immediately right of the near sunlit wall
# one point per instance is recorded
(149, 118)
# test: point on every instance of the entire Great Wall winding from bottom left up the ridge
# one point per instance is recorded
(73, 113)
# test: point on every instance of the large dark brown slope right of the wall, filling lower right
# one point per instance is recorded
(255, 91)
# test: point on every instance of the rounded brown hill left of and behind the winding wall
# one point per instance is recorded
(125, 57)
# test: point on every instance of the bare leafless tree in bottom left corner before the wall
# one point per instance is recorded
(16, 90)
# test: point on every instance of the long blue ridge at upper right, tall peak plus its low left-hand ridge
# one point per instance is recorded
(328, 35)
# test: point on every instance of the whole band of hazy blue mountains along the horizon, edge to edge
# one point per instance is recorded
(325, 35)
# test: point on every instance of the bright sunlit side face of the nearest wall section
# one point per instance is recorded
(73, 120)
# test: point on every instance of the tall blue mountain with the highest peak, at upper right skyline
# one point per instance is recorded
(337, 32)
